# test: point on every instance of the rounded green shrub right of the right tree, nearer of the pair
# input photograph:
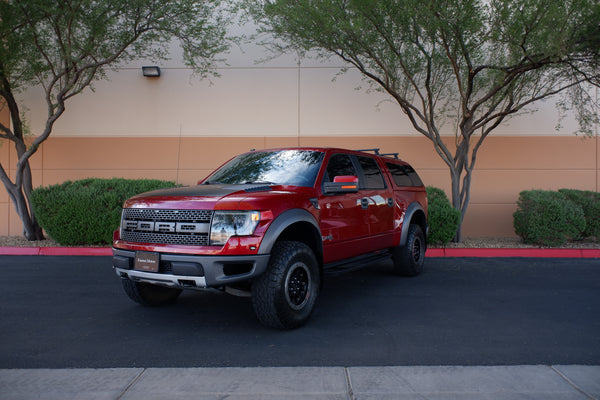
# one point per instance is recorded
(547, 218)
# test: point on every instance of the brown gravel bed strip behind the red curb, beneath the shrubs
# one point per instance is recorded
(481, 242)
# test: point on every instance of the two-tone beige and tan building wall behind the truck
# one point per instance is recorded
(180, 128)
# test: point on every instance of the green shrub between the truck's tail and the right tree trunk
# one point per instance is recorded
(442, 217)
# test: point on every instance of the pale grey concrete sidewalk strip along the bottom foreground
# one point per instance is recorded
(543, 382)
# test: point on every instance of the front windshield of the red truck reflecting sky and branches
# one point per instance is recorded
(285, 167)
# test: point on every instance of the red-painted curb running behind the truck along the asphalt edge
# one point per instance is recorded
(435, 252)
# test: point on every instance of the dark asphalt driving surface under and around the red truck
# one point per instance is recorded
(70, 312)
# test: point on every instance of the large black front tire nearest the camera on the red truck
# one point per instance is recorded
(285, 295)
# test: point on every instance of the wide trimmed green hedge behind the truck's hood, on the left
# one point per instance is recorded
(86, 211)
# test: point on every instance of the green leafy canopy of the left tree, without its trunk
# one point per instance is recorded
(77, 39)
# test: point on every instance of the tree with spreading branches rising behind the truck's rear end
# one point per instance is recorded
(467, 65)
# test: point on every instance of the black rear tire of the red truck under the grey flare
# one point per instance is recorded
(409, 259)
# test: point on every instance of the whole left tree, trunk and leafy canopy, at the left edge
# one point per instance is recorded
(65, 45)
